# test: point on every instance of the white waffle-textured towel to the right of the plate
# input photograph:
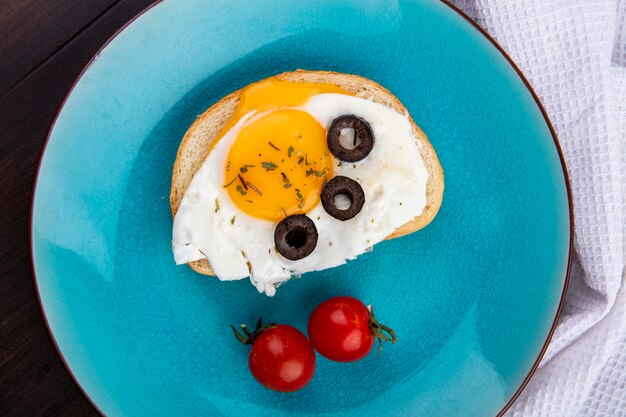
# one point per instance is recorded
(573, 52)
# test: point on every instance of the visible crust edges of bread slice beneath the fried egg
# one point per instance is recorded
(195, 145)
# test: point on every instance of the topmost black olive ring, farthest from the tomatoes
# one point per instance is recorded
(362, 130)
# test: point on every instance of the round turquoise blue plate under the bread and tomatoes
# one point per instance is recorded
(473, 297)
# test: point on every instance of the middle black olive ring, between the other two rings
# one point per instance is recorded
(341, 185)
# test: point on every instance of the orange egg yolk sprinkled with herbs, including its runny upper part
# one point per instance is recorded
(279, 161)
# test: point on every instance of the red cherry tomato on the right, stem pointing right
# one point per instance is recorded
(343, 329)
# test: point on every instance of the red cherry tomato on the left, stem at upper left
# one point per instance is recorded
(281, 358)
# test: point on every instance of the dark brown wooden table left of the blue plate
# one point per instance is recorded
(44, 45)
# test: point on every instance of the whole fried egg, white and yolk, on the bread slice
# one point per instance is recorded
(271, 160)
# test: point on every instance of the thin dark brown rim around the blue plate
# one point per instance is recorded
(454, 9)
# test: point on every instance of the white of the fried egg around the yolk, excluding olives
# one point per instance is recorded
(237, 245)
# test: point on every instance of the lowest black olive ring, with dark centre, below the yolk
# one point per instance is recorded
(295, 237)
